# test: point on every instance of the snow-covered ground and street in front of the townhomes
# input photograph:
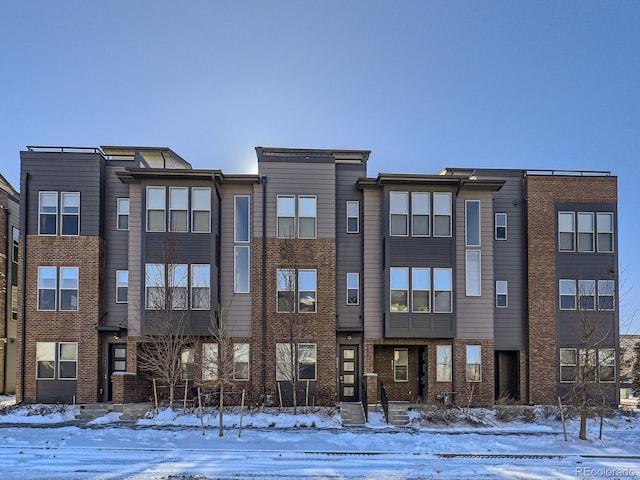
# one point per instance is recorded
(38, 443)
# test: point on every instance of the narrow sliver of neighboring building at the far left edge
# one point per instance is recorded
(9, 253)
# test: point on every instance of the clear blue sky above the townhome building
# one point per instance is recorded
(424, 85)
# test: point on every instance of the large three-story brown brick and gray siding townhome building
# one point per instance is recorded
(465, 285)
